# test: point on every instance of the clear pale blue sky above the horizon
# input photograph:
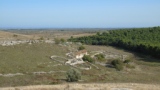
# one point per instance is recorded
(79, 13)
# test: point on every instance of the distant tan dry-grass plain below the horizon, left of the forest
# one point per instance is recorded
(47, 34)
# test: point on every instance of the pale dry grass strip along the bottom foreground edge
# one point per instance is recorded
(93, 86)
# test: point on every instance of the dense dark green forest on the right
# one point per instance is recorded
(142, 40)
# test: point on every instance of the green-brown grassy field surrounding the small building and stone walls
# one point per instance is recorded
(33, 60)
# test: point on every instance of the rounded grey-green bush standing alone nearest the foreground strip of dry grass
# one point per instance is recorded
(73, 75)
